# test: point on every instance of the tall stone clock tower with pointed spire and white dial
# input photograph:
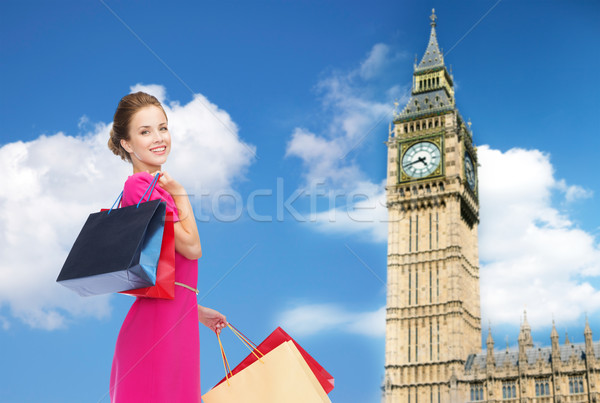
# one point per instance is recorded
(433, 319)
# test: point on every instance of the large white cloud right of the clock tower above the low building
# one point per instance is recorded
(532, 256)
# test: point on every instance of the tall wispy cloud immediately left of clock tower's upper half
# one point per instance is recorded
(328, 158)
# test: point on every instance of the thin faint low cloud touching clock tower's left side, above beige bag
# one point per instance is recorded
(306, 320)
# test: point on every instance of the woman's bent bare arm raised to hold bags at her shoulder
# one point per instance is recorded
(187, 240)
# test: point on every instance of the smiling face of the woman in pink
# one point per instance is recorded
(149, 141)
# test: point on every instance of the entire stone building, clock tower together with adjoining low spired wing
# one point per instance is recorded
(433, 319)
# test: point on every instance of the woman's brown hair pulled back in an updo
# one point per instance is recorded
(128, 106)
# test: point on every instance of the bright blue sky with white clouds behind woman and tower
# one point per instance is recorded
(279, 112)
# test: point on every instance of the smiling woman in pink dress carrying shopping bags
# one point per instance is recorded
(157, 355)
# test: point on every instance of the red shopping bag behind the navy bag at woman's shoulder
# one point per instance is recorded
(165, 271)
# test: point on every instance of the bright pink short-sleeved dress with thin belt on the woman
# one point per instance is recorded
(157, 356)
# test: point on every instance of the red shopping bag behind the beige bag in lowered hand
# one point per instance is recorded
(276, 338)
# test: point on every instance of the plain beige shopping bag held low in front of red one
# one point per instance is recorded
(281, 376)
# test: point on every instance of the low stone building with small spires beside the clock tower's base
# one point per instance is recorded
(557, 374)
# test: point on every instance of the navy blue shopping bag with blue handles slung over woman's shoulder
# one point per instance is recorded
(116, 250)
